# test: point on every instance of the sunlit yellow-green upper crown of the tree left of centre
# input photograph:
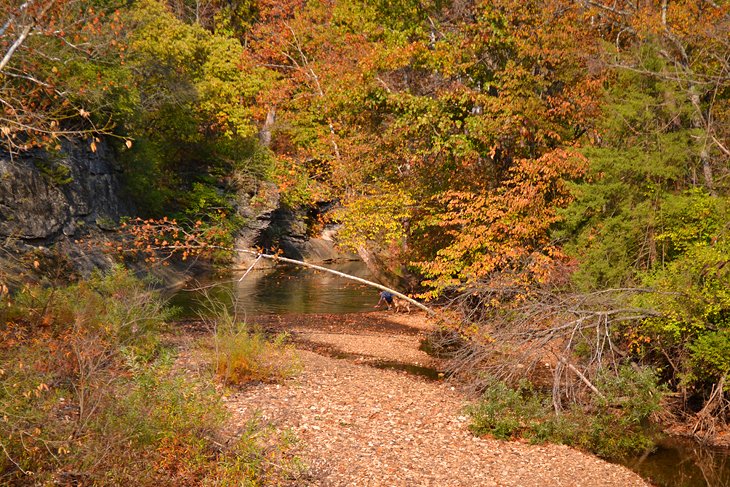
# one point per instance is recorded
(185, 68)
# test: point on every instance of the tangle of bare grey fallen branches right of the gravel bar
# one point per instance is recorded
(556, 339)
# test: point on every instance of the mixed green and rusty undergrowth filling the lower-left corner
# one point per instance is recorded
(88, 395)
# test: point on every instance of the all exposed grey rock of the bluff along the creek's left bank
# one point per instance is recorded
(49, 199)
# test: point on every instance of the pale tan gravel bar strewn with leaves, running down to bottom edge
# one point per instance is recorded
(363, 426)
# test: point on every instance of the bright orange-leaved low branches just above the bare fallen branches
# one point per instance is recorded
(502, 237)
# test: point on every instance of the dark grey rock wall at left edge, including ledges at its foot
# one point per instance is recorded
(50, 199)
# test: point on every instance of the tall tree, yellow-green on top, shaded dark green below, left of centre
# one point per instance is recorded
(193, 118)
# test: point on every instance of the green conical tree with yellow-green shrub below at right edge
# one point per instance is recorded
(646, 219)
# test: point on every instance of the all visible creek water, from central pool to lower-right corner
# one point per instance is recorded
(288, 290)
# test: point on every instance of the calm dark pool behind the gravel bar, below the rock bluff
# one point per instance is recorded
(283, 290)
